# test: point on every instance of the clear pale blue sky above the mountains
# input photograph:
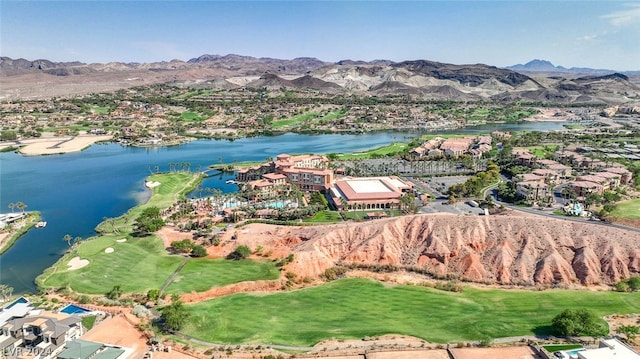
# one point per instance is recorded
(597, 34)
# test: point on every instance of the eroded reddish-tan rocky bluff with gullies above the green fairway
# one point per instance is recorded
(494, 249)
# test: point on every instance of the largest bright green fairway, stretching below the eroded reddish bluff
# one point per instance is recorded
(354, 308)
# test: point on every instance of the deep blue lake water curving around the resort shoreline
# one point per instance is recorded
(74, 192)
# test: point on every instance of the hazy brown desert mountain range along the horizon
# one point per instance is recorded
(537, 80)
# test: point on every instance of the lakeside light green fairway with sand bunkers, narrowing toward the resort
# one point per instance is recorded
(137, 265)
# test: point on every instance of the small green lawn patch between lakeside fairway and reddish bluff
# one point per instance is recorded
(201, 274)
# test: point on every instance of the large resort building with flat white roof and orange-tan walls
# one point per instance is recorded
(368, 192)
